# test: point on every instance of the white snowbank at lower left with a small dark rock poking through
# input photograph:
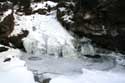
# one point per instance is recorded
(12, 69)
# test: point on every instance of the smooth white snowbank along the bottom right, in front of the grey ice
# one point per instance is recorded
(91, 76)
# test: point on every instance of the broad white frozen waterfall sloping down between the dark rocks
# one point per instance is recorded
(46, 35)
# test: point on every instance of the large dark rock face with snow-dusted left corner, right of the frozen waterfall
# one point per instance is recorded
(103, 21)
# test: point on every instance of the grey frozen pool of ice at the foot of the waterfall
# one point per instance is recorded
(68, 66)
